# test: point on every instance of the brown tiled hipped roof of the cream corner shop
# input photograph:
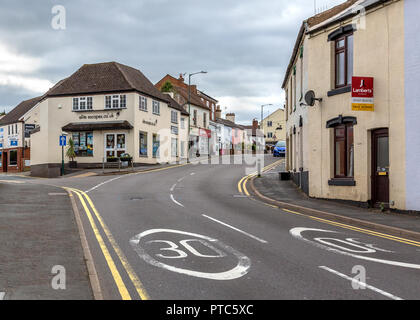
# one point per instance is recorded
(105, 77)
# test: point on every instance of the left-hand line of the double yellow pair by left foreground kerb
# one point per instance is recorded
(125, 295)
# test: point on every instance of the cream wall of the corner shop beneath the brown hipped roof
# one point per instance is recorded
(54, 113)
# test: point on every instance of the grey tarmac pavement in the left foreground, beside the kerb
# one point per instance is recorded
(38, 234)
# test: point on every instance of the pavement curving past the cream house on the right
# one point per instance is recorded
(286, 193)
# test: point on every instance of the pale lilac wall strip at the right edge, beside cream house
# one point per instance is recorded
(412, 102)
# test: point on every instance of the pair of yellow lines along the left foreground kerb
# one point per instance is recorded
(122, 288)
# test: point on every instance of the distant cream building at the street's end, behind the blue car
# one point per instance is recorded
(274, 127)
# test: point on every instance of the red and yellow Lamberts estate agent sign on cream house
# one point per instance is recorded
(362, 94)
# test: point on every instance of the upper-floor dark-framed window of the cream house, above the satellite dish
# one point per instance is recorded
(343, 60)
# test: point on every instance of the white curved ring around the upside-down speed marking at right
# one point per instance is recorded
(296, 232)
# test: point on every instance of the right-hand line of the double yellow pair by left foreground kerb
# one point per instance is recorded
(134, 278)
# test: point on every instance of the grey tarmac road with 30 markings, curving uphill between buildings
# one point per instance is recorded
(188, 232)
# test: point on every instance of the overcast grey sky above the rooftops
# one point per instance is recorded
(245, 45)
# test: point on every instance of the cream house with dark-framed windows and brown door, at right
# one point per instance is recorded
(359, 156)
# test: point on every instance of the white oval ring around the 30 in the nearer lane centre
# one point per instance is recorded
(241, 269)
